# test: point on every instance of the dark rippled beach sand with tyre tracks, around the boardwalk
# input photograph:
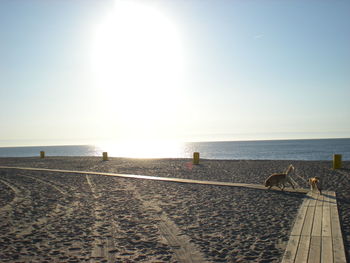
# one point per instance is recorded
(54, 217)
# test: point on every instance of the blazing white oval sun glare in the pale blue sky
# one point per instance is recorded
(138, 65)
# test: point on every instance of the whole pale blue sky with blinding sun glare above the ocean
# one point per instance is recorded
(84, 71)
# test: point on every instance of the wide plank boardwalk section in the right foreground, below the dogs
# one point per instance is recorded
(316, 235)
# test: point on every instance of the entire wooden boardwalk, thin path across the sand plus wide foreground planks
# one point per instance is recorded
(316, 235)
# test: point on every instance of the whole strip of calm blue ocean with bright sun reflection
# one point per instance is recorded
(317, 149)
